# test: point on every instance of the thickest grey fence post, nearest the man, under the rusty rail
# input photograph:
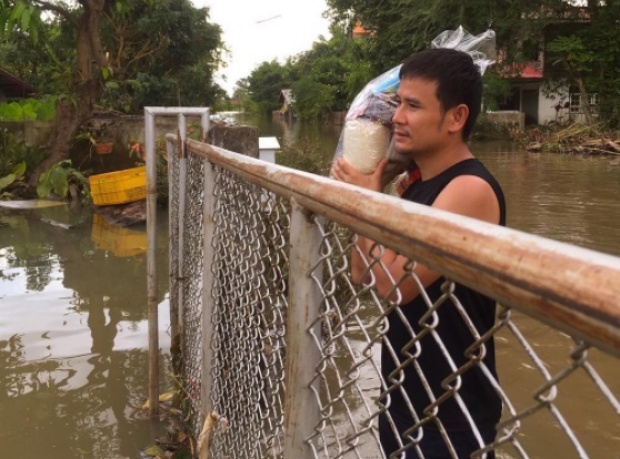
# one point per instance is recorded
(301, 410)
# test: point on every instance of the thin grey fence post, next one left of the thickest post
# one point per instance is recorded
(208, 227)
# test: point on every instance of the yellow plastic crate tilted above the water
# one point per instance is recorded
(118, 187)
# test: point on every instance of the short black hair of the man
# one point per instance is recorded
(458, 79)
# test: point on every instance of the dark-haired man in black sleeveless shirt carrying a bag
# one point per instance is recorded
(439, 99)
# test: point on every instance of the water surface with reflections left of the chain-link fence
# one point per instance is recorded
(73, 336)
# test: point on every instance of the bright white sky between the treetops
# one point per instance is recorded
(258, 31)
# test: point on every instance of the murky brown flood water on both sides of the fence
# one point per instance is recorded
(73, 334)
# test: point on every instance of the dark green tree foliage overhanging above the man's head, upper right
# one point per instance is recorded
(581, 40)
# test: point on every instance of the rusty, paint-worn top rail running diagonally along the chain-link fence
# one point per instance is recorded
(579, 296)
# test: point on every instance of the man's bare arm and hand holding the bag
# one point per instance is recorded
(465, 195)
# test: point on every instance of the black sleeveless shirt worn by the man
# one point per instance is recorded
(451, 337)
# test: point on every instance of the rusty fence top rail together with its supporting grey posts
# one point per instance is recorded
(578, 296)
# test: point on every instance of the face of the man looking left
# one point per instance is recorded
(419, 127)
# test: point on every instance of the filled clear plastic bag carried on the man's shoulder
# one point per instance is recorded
(366, 136)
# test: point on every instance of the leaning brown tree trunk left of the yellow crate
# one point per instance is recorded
(70, 116)
